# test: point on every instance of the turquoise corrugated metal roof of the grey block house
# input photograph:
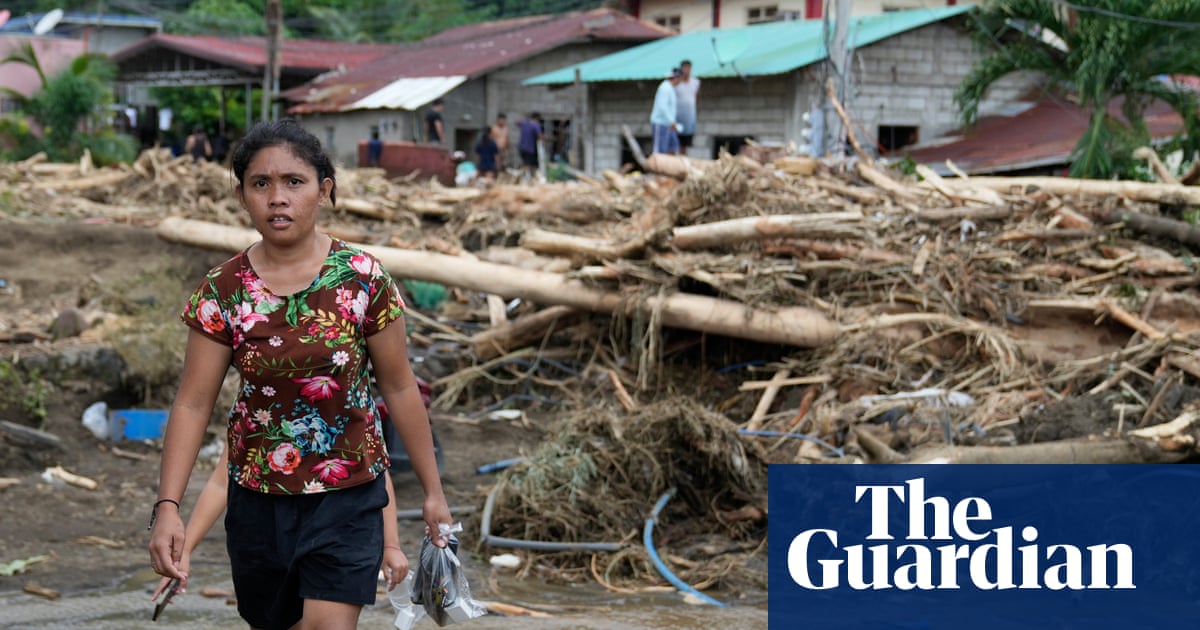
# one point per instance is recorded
(760, 50)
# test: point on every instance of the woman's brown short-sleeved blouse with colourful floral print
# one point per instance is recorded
(305, 419)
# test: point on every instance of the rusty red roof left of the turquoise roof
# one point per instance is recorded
(470, 51)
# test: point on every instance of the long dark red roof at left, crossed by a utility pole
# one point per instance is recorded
(250, 53)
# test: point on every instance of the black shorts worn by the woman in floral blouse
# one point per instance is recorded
(287, 549)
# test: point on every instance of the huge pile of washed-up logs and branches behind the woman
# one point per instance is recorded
(872, 299)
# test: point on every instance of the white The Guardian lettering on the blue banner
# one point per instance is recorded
(950, 547)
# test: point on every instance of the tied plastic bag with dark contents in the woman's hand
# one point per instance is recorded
(440, 585)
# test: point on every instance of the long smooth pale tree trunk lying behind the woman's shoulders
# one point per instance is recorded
(791, 326)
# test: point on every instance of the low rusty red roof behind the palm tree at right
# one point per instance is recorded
(1043, 136)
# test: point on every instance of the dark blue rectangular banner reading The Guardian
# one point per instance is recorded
(985, 548)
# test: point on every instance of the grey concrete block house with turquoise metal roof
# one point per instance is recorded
(760, 81)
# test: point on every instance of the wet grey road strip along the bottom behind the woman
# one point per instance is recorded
(128, 607)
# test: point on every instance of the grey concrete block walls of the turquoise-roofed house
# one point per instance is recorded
(905, 81)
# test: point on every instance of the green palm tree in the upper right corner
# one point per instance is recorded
(1105, 53)
